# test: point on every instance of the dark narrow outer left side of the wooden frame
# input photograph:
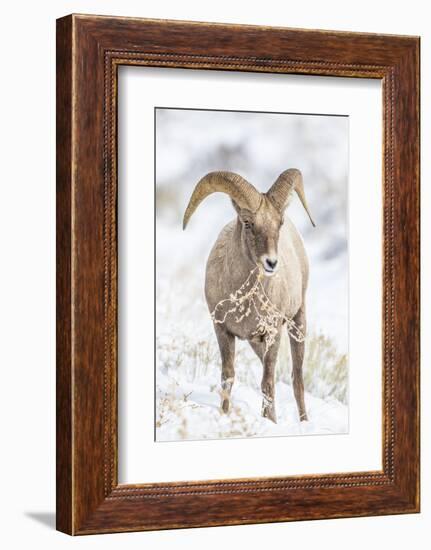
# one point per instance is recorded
(63, 289)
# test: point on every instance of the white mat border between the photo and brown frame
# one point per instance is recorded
(141, 458)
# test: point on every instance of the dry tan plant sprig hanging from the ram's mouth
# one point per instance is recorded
(251, 299)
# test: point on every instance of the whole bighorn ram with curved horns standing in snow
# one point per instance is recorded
(257, 271)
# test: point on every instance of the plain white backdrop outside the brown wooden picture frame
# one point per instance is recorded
(27, 403)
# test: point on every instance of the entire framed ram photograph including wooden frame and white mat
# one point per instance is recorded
(237, 274)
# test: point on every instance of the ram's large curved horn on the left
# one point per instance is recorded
(238, 188)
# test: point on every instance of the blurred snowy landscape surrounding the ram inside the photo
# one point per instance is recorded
(188, 362)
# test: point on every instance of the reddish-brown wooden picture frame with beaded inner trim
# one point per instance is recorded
(89, 51)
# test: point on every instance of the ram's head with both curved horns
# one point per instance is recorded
(260, 214)
